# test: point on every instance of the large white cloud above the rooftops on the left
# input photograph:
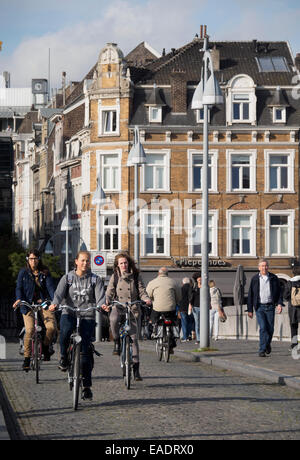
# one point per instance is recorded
(75, 49)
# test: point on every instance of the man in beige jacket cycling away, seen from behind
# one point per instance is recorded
(165, 294)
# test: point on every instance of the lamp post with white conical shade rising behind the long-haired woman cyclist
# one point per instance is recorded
(136, 158)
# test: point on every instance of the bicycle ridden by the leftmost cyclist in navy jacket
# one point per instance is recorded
(37, 339)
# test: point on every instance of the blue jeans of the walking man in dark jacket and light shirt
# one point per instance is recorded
(265, 315)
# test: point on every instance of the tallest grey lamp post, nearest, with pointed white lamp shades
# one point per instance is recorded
(207, 93)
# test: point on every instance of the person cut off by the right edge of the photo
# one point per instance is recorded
(292, 296)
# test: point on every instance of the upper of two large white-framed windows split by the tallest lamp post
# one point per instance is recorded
(195, 159)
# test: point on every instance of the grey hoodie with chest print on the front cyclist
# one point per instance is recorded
(81, 293)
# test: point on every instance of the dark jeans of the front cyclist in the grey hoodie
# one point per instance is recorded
(87, 330)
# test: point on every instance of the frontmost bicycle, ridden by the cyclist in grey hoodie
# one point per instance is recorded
(73, 354)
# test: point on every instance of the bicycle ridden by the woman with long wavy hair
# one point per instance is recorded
(126, 340)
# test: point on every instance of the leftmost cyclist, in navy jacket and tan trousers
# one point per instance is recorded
(35, 285)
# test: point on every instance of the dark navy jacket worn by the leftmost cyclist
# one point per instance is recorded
(26, 287)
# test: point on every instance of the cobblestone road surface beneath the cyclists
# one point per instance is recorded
(175, 401)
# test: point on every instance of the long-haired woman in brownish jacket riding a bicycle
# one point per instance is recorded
(126, 285)
